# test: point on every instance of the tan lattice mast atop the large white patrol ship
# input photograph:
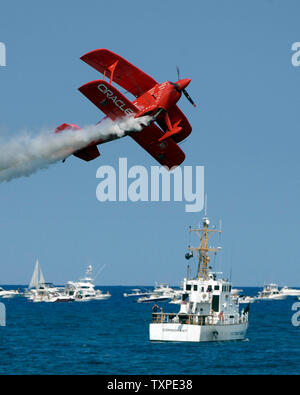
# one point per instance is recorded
(204, 251)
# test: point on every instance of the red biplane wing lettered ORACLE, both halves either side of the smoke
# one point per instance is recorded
(115, 105)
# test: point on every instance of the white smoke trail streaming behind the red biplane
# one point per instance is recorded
(26, 154)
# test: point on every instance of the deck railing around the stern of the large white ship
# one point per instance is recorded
(195, 319)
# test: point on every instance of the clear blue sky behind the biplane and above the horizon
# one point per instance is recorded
(245, 133)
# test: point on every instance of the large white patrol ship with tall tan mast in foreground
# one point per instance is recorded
(208, 311)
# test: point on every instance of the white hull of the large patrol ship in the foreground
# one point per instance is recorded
(196, 333)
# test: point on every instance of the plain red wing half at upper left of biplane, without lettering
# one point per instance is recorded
(125, 74)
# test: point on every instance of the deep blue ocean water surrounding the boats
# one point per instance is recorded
(111, 337)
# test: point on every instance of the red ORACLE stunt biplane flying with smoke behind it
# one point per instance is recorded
(154, 99)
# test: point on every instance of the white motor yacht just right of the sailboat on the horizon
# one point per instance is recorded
(84, 289)
